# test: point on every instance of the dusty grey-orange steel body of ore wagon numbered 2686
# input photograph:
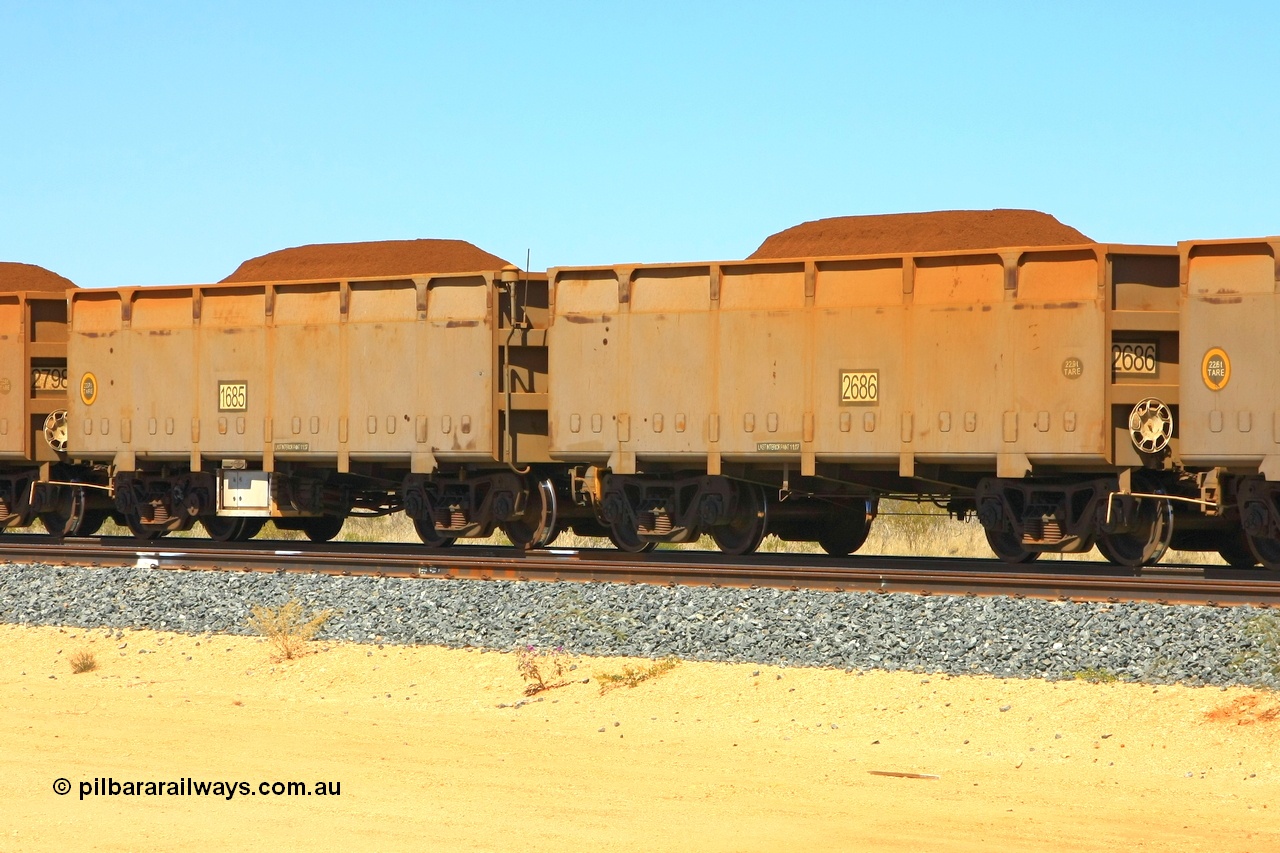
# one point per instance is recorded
(985, 361)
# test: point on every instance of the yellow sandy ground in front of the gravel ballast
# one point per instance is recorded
(705, 758)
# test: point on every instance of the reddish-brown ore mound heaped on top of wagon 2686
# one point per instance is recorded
(935, 231)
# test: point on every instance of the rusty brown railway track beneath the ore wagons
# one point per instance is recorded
(968, 577)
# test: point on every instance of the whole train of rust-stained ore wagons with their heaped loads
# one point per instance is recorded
(1066, 394)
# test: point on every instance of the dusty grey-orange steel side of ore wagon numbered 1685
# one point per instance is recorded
(328, 373)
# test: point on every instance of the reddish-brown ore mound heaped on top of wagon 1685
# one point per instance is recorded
(358, 261)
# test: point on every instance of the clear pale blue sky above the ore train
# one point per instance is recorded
(166, 143)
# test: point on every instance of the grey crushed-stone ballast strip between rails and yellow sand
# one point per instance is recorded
(996, 636)
